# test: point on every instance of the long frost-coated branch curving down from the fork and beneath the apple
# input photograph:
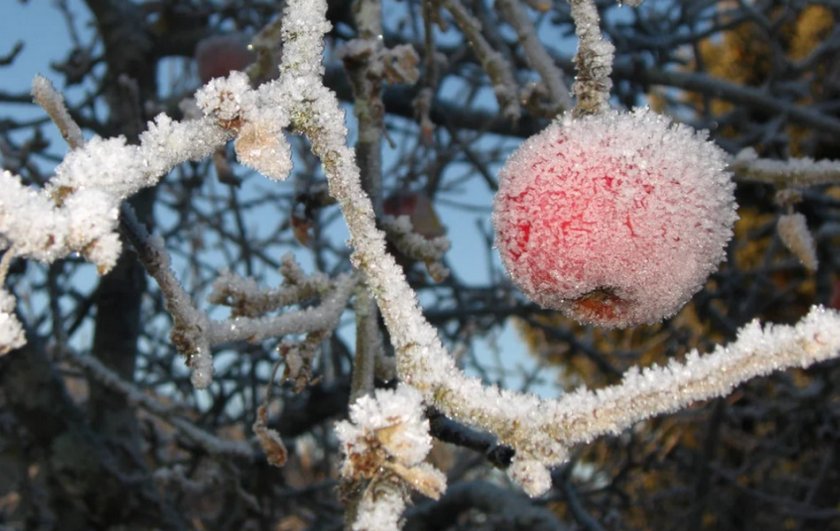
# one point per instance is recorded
(540, 431)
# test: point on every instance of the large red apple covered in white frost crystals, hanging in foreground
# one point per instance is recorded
(615, 219)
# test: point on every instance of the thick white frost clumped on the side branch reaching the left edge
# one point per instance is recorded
(77, 211)
